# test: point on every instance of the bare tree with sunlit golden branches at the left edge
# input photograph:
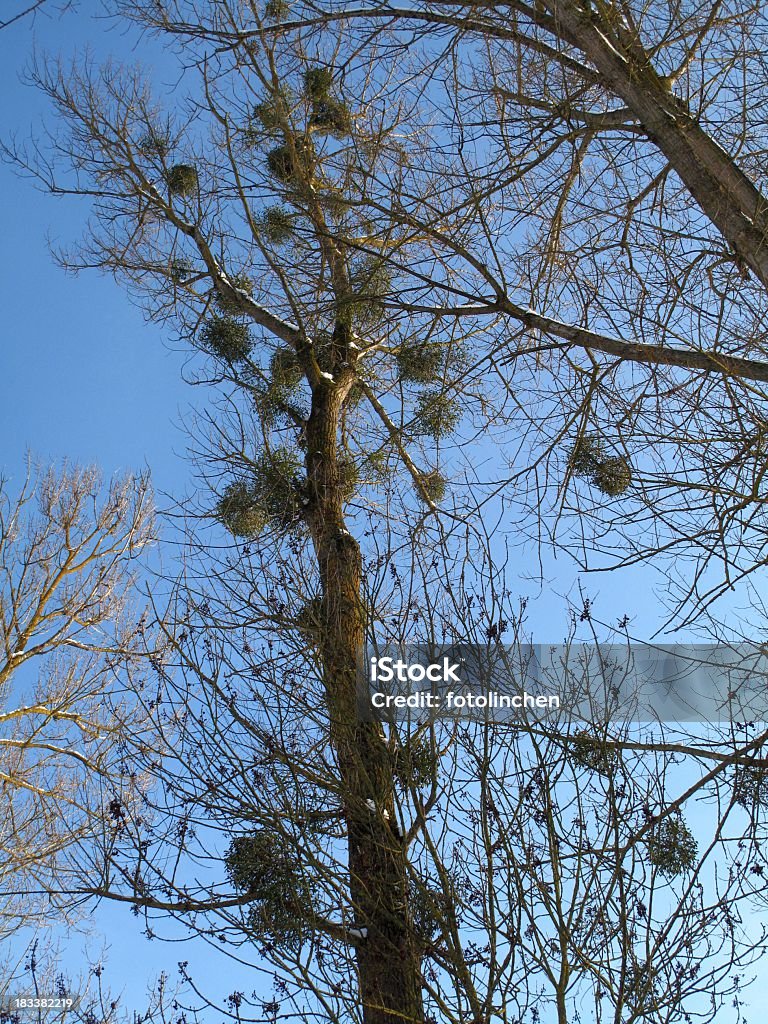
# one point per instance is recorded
(68, 558)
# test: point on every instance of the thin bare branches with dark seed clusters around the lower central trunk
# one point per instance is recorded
(548, 871)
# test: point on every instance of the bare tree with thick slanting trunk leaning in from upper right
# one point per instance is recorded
(607, 264)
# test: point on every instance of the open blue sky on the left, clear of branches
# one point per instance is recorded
(84, 377)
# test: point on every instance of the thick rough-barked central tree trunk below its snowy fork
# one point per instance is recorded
(389, 958)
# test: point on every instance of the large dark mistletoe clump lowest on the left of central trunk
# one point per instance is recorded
(262, 868)
